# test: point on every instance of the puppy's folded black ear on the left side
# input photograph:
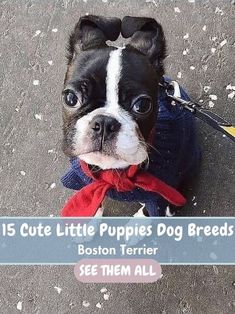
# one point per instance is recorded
(92, 32)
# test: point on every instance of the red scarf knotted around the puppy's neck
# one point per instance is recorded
(86, 202)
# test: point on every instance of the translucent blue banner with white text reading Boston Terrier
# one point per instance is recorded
(174, 241)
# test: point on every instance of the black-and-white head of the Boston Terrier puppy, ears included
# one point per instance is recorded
(110, 94)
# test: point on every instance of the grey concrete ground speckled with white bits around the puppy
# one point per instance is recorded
(200, 37)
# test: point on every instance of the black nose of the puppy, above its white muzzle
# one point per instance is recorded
(105, 126)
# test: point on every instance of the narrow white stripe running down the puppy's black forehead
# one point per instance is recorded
(114, 68)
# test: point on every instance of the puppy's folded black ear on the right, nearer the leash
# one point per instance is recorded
(147, 37)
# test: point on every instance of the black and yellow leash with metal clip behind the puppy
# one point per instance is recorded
(172, 91)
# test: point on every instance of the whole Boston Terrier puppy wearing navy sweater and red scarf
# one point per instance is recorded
(122, 134)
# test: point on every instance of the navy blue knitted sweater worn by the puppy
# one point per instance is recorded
(174, 160)
